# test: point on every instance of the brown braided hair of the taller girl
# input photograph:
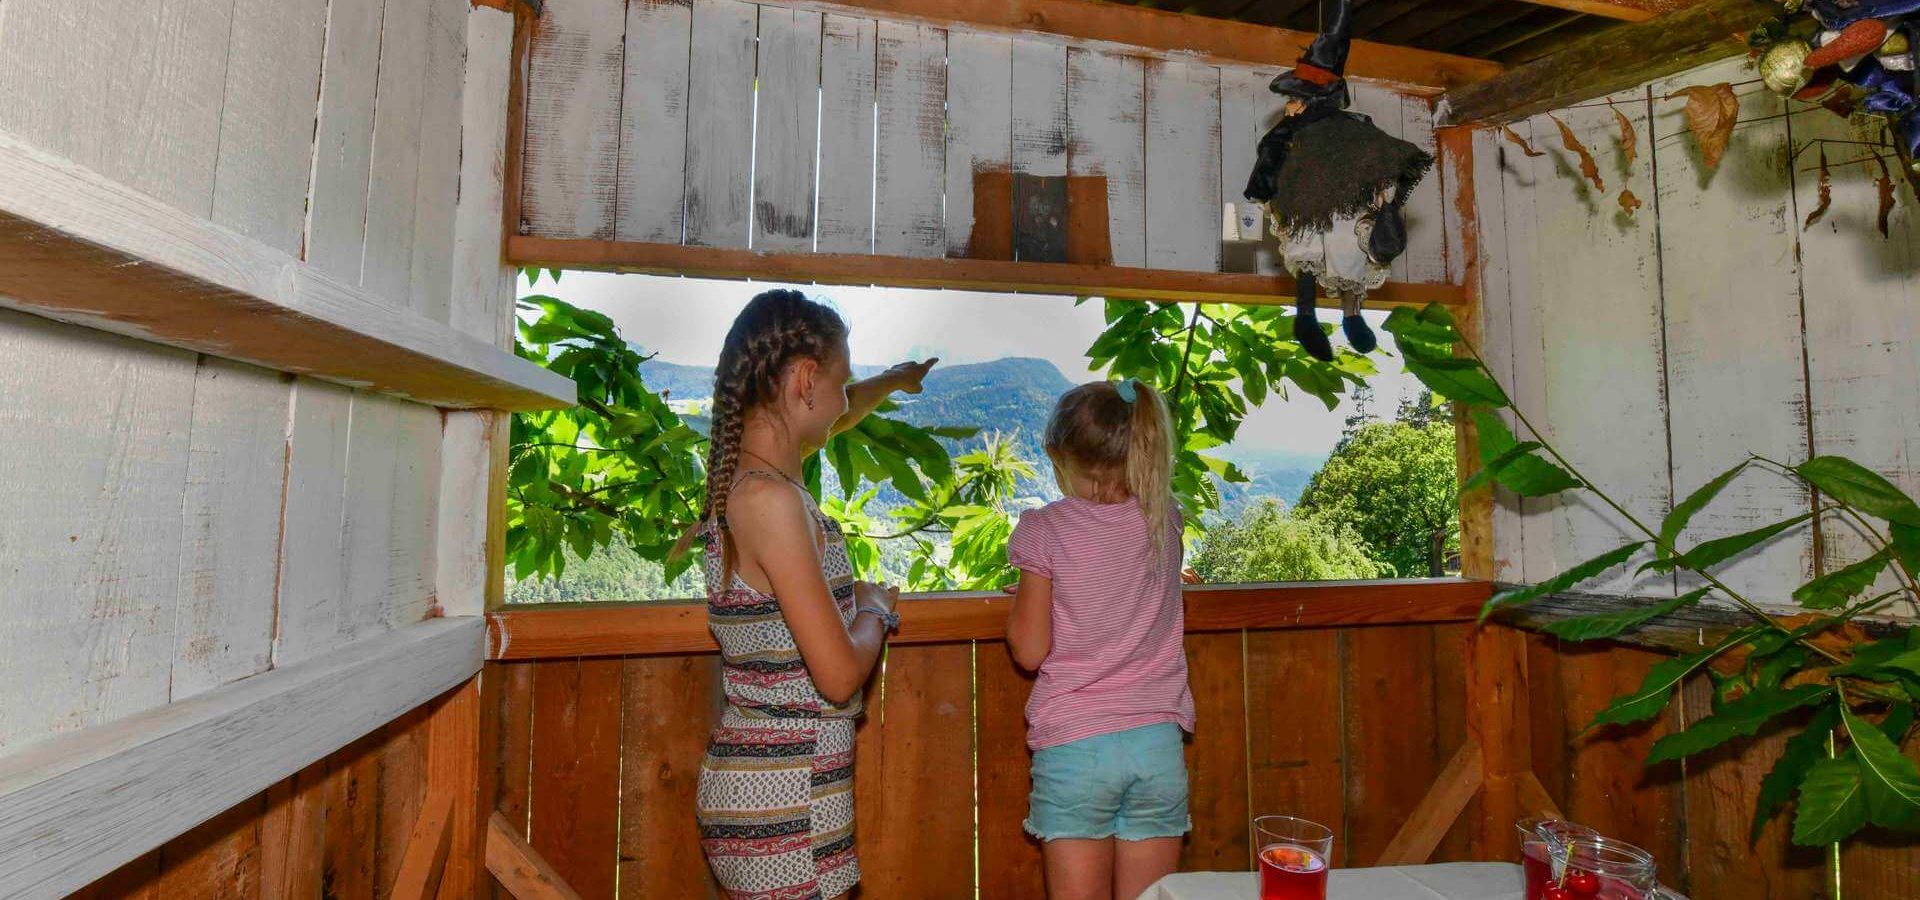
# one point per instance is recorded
(775, 329)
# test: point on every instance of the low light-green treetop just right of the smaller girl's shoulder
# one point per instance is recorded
(1268, 544)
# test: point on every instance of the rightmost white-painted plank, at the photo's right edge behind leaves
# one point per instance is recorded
(1863, 327)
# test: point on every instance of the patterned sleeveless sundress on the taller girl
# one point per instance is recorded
(777, 786)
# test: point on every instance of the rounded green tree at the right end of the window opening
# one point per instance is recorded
(1395, 485)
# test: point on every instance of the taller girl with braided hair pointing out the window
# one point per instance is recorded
(798, 634)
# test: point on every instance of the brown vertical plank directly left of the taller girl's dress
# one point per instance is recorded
(671, 707)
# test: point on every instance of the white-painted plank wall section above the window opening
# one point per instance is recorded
(648, 128)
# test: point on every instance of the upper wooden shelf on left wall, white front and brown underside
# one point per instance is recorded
(82, 249)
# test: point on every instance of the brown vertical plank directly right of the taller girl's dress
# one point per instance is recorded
(921, 818)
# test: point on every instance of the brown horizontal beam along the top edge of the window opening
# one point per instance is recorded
(984, 275)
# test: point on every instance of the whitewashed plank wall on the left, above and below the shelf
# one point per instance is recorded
(187, 521)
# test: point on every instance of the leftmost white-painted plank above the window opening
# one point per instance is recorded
(573, 122)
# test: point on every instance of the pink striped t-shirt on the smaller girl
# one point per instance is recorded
(1118, 657)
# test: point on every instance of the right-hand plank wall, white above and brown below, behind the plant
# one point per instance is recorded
(1662, 348)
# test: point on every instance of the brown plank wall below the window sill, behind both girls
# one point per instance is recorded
(598, 761)
